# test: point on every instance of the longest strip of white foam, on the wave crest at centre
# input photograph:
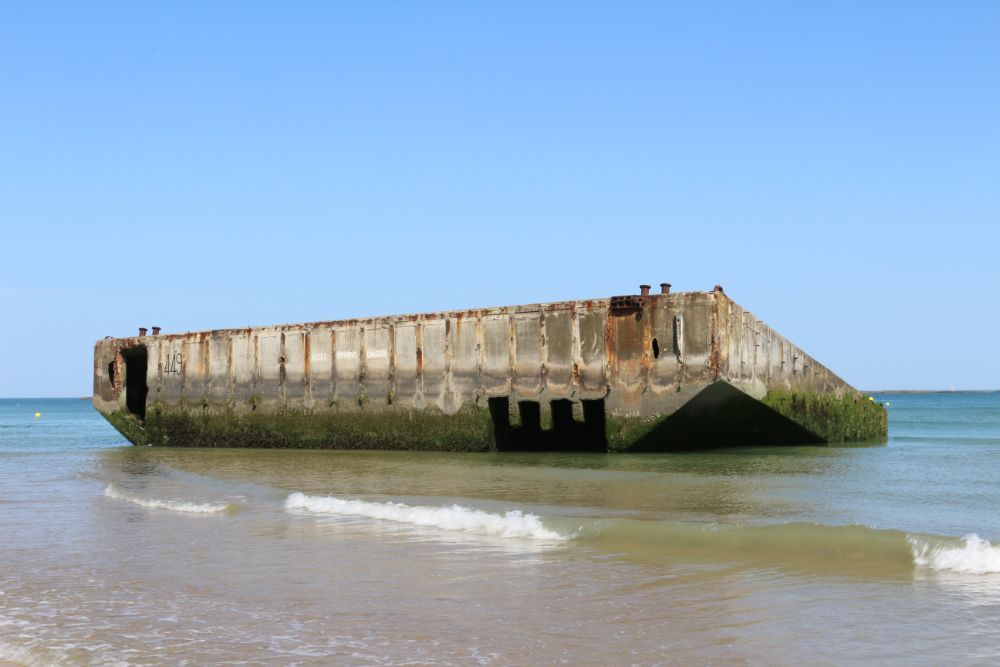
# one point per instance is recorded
(512, 524)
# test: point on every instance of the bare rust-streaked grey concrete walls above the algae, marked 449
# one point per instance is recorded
(644, 356)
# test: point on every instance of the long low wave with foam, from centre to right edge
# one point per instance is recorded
(813, 547)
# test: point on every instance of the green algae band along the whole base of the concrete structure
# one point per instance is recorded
(816, 417)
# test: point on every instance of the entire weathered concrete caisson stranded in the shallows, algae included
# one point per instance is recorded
(633, 373)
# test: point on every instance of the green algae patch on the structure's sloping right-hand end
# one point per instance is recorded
(848, 418)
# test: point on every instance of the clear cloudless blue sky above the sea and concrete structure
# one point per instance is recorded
(835, 166)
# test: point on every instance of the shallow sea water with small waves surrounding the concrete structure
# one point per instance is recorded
(820, 555)
